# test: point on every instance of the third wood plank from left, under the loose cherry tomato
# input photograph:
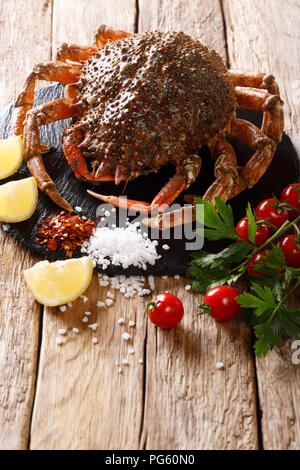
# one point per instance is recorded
(189, 404)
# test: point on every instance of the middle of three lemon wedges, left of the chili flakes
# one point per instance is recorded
(18, 200)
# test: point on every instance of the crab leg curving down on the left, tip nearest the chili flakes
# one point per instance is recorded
(55, 110)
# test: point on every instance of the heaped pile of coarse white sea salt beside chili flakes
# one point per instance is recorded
(121, 246)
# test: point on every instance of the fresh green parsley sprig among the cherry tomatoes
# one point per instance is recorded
(265, 305)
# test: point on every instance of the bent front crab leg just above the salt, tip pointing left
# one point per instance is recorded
(185, 175)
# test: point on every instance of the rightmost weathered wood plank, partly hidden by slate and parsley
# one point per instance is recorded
(261, 38)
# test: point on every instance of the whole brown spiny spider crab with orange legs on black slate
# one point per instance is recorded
(141, 101)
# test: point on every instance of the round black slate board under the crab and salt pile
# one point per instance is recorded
(282, 171)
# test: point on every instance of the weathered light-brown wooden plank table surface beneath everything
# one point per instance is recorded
(71, 397)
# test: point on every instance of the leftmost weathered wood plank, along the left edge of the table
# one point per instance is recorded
(21, 46)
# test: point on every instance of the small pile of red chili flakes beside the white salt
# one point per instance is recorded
(65, 232)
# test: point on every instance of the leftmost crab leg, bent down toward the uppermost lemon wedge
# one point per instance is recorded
(53, 71)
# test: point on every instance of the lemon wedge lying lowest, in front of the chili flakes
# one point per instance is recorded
(60, 282)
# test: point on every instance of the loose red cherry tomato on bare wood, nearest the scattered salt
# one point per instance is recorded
(165, 311)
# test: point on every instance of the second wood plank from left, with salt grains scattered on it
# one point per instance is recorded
(82, 402)
